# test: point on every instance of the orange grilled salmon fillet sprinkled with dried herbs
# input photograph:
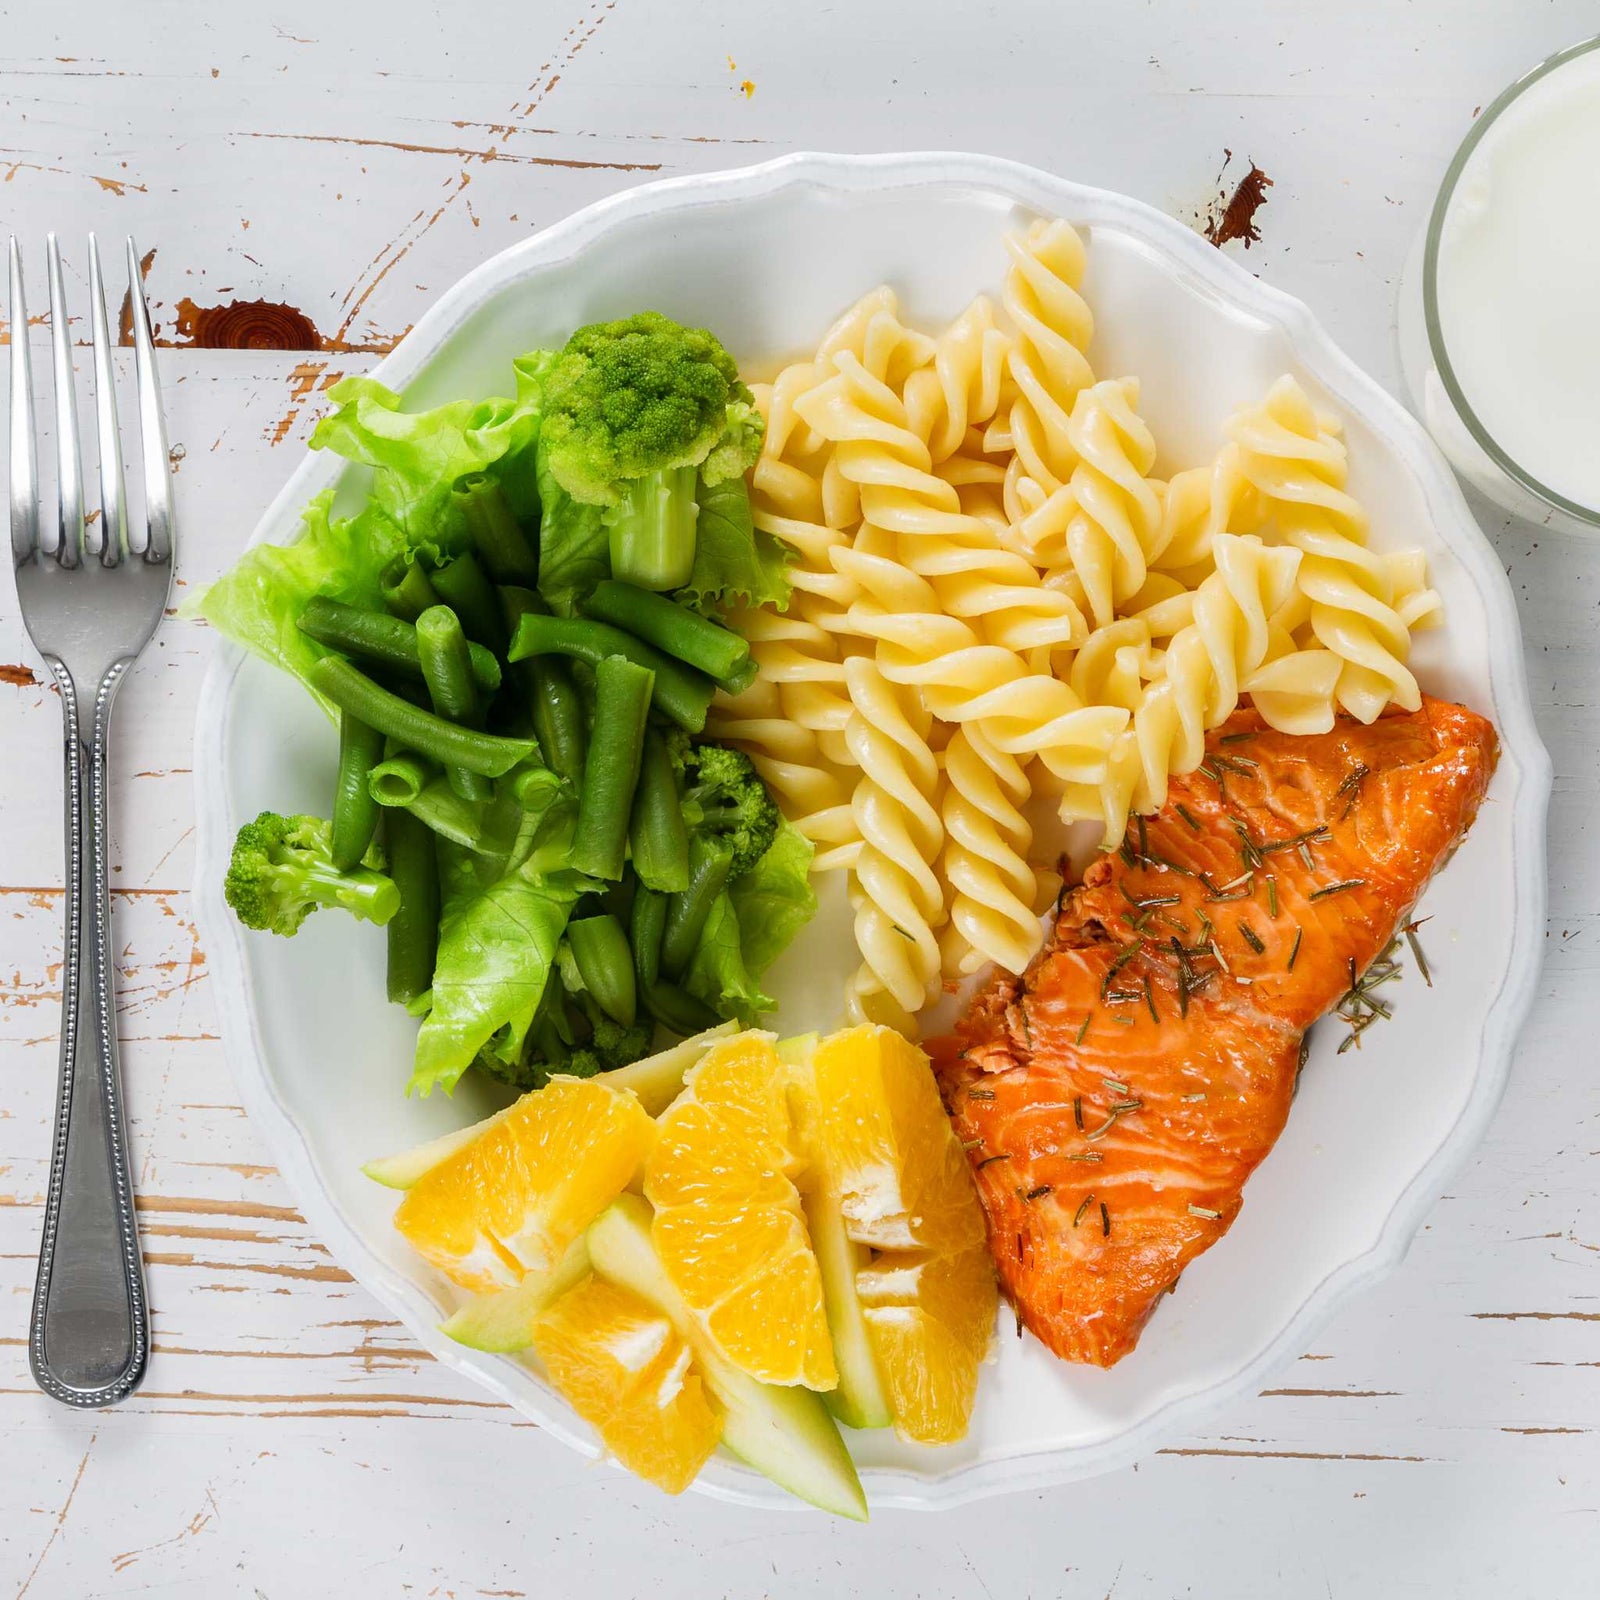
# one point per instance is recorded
(1116, 1097)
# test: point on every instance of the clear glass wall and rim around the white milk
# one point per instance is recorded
(1433, 382)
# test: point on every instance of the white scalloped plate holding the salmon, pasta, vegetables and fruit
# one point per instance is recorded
(767, 257)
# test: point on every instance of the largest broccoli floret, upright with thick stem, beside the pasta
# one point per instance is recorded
(634, 412)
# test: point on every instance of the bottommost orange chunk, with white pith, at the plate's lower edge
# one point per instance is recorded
(625, 1370)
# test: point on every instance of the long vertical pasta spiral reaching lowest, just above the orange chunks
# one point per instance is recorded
(898, 897)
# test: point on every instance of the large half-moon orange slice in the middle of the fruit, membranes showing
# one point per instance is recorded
(729, 1223)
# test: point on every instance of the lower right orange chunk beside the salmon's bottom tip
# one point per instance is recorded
(930, 1321)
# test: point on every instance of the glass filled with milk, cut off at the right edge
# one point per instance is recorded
(1500, 305)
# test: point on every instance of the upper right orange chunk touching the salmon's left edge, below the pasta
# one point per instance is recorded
(905, 1182)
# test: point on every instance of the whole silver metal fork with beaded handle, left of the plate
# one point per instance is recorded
(92, 596)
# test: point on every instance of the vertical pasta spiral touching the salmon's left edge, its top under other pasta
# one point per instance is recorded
(985, 863)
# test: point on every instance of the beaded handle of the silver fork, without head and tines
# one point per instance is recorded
(90, 1332)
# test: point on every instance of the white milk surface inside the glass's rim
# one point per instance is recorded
(1519, 281)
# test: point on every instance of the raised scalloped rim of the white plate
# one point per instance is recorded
(1319, 354)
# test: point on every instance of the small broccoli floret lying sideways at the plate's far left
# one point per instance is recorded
(282, 871)
